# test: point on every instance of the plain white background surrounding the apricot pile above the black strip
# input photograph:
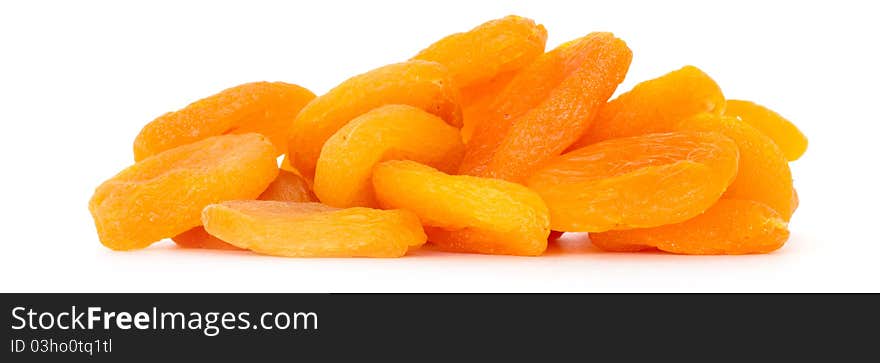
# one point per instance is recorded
(78, 79)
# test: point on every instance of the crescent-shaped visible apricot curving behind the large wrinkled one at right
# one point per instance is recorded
(763, 174)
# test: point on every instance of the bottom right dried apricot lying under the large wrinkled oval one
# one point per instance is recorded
(731, 227)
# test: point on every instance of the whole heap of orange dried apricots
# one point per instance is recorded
(481, 143)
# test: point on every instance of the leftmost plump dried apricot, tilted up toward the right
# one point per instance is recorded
(163, 195)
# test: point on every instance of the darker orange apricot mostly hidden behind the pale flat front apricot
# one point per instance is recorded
(287, 186)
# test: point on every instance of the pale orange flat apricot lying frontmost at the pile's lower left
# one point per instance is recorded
(313, 230)
